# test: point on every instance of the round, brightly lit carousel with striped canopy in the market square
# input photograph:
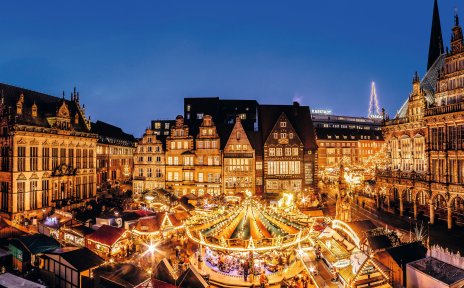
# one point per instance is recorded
(247, 239)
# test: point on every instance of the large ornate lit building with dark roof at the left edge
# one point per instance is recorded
(48, 153)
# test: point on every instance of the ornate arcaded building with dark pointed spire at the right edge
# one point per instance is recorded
(426, 173)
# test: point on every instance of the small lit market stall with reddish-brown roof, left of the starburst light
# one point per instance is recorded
(109, 242)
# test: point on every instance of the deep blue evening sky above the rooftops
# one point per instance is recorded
(134, 61)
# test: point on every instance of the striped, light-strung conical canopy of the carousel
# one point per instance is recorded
(249, 225)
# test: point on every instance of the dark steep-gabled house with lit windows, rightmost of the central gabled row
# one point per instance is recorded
(290, 150)
